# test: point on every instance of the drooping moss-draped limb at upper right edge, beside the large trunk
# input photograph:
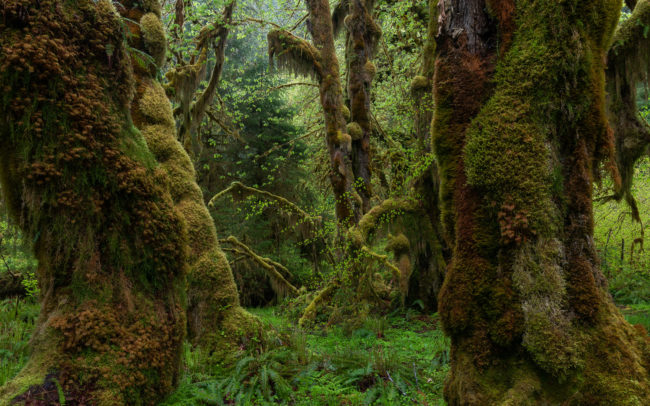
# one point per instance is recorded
(628, 67)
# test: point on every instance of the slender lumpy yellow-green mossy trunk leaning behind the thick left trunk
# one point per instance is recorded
(216, 321)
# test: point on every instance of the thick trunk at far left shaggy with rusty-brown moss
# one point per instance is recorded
(85, 189)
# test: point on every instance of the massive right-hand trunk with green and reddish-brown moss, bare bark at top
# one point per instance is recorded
(519, 131)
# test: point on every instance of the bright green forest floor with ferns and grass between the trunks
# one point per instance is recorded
(400, 359)
